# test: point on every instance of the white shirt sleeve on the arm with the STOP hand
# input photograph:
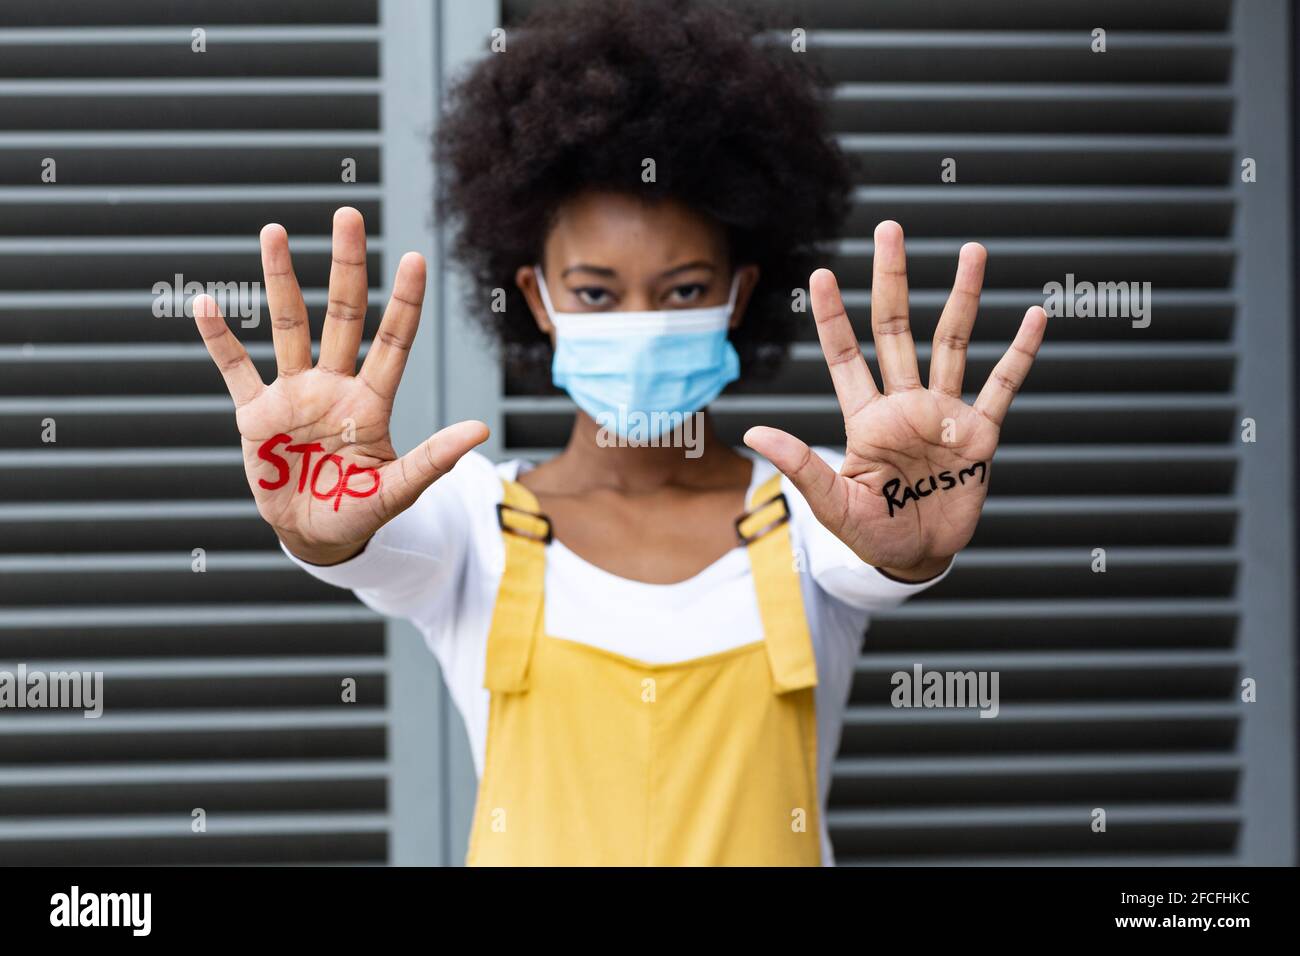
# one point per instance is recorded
(413, 565)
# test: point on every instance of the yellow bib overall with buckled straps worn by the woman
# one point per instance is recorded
(597, 759)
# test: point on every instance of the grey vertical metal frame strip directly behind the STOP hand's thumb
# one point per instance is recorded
(417, 708)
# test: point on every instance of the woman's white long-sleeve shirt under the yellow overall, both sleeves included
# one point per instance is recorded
(440, 565)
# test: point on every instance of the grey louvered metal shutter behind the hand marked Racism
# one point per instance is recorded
(1119, 690)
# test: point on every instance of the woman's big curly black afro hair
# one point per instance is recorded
(584, 93)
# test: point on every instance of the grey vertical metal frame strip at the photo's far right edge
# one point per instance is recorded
(1264, 331)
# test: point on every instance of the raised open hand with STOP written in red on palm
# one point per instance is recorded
(317, 445)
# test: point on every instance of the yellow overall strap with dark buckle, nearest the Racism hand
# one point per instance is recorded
(765, 531)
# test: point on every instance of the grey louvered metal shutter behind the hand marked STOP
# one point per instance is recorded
(223, 690)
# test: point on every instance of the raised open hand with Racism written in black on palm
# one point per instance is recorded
(918, 460)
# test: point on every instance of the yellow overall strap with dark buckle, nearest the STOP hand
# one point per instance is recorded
(518, 616)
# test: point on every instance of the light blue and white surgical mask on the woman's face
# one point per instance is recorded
(643, 373)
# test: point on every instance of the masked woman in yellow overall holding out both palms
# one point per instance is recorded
(651, 637)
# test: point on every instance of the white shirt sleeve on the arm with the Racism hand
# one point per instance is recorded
(834, 565)
